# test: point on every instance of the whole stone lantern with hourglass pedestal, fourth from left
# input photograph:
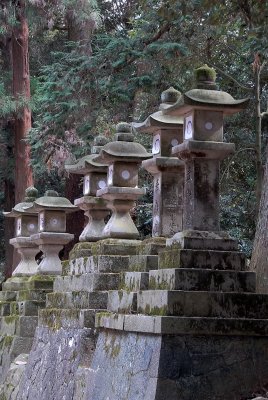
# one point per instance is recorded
(123, 157)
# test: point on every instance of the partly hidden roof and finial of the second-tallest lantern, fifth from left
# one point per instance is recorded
(159, 119)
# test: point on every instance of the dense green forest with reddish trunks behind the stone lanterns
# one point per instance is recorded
(72, 69)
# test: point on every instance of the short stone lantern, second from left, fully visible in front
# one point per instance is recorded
(52, 236)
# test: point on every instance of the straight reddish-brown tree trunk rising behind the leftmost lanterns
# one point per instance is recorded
(21, 89)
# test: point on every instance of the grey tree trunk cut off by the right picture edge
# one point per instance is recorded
(259, 260)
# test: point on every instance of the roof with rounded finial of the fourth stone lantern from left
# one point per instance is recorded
(124, 148)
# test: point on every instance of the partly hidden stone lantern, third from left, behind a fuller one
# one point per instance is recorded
(95, 178)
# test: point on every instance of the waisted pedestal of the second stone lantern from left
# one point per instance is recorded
(51, 244)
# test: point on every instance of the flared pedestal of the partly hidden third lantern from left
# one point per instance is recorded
(96, 210)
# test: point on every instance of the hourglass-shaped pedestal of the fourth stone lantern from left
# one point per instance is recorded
(121, 199)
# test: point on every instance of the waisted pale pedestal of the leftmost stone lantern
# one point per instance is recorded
(27, 250)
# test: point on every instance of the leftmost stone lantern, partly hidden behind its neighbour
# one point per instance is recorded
(26, 223)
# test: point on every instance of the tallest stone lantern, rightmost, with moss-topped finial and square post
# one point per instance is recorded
(203, 110)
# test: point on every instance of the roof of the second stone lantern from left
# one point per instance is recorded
(52, 201)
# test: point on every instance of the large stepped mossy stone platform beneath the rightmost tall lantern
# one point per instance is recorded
(200, 317)
